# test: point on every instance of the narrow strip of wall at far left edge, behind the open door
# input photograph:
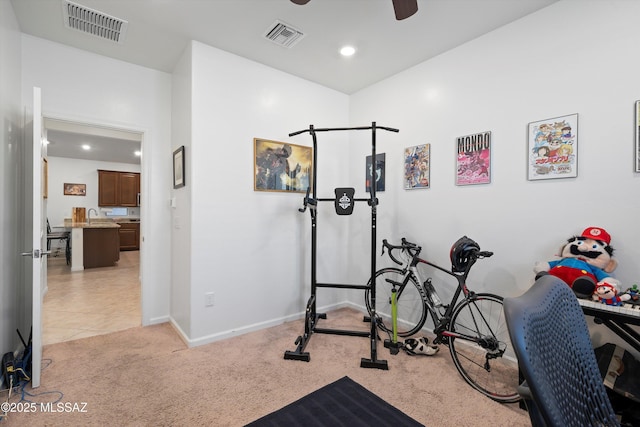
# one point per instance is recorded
(10, 158)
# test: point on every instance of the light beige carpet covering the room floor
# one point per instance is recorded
(148, 377)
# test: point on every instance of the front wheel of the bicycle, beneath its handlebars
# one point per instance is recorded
(412, 312)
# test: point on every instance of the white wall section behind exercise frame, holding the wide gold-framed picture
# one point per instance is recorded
(252, 248)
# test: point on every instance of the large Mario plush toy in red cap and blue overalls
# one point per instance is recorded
(586, 260)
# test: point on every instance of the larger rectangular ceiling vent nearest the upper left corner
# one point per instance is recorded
(96, 23)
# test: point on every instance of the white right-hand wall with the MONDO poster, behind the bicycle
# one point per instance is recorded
(567, 58)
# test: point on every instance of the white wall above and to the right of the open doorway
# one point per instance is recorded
(88, 88)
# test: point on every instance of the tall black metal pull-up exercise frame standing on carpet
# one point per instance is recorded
(311, 316)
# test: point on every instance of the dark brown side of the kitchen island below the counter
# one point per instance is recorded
(101, 247)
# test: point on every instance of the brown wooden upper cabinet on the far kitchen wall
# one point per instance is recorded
(118, 188)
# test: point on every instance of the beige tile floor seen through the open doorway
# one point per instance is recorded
(91, 302)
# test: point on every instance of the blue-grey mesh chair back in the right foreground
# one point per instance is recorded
(563, 386)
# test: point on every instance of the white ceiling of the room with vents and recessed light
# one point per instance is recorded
(159, 30)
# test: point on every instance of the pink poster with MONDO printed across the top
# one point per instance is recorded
(473, 161)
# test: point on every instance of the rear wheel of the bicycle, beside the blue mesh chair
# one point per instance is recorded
(481, 348)
